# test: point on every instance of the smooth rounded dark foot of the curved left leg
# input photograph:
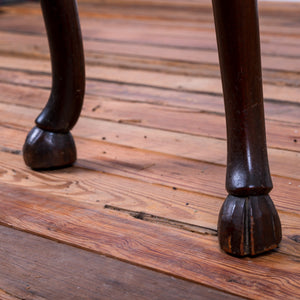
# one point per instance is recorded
(48, 150)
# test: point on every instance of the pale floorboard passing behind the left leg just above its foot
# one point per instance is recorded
(167, 142)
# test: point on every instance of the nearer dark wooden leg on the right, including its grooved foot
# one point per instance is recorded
(248, 221)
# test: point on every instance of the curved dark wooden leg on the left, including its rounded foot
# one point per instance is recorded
(50, 144)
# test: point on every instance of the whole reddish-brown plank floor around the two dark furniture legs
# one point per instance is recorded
(135, 217)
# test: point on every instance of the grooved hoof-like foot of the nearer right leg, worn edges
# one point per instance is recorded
(248, 226)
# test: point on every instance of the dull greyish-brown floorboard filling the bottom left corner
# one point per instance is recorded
(43, 269)
